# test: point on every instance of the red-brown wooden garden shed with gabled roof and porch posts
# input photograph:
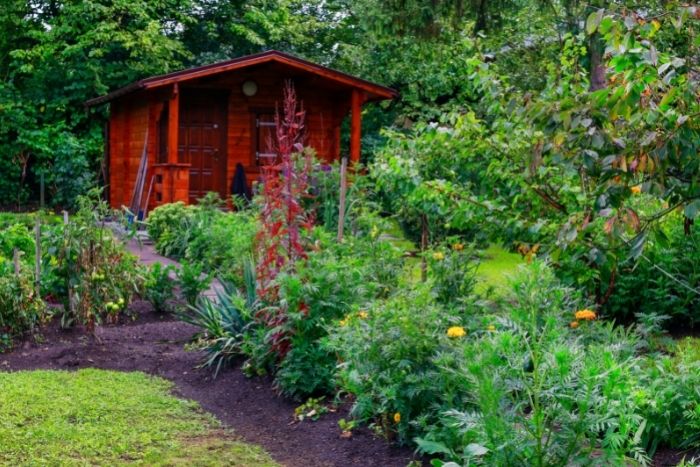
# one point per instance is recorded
(196, 125)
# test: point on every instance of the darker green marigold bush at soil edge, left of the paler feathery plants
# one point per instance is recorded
(386, 361)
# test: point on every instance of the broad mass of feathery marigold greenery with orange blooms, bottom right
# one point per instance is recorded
(533, 383)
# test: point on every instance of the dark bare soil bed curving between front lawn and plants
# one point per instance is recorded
(155, 344)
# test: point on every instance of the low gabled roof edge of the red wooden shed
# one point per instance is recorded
(374, 91)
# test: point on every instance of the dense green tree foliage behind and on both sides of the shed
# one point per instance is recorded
(528, 121)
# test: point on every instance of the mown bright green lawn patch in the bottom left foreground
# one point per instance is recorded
(96, 417)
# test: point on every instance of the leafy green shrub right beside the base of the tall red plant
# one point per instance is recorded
(335, 281)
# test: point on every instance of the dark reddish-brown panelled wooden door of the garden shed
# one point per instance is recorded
(202, 141)
